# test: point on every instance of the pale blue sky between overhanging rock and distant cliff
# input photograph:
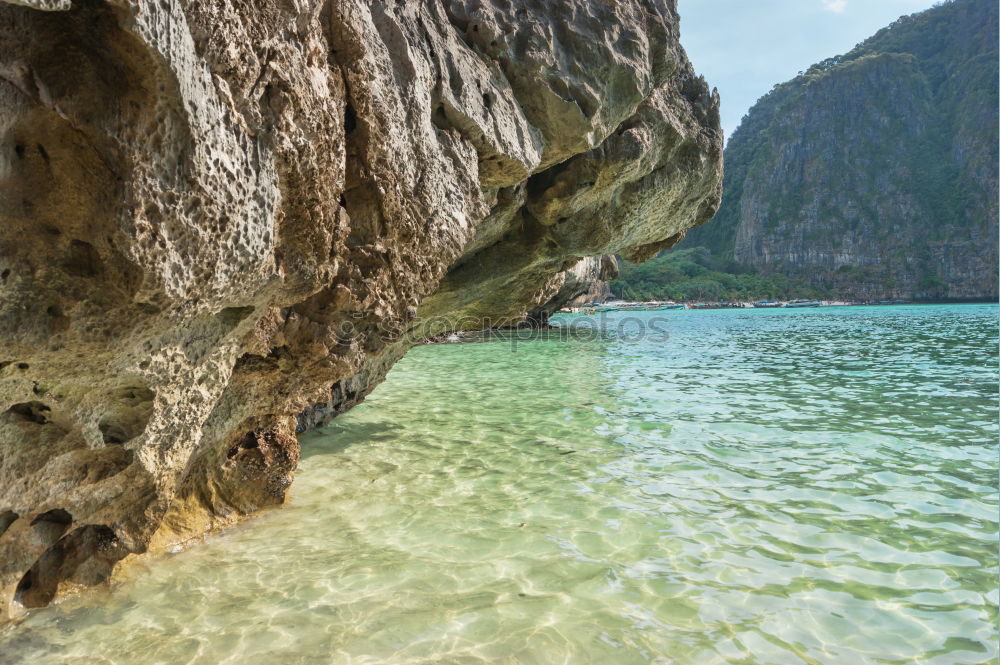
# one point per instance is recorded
(744, 47)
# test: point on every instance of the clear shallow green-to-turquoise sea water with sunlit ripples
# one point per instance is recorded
(760, 487)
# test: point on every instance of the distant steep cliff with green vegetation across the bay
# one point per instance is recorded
(874, 174)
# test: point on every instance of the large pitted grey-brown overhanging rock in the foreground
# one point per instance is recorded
(222, 222)
